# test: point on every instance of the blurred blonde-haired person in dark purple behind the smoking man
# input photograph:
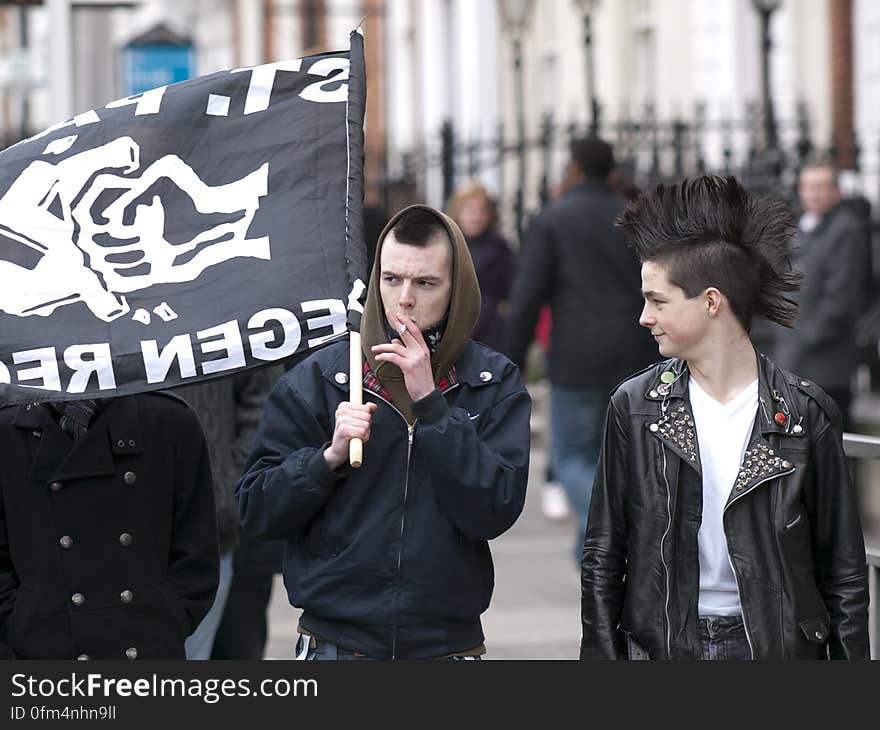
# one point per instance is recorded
(494, 261)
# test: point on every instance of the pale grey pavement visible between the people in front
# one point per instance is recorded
(535, 610)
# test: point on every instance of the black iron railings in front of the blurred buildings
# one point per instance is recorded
(647, 148)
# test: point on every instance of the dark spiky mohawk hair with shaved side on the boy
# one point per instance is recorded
(710, 232)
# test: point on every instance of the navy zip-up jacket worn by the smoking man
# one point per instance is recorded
(391, 559)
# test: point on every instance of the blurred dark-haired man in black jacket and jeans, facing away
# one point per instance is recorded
(578, 262)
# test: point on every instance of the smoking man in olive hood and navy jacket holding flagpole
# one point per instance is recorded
(391, 560)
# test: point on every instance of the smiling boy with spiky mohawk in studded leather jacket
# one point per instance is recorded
(723, 522)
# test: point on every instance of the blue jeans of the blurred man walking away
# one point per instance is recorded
(577, 417)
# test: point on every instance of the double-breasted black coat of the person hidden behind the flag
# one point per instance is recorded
(108, 544)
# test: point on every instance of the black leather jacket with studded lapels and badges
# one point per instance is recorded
(791, 523)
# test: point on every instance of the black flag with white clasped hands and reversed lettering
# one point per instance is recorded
(185, 233)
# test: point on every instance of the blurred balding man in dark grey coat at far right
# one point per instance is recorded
(832, 252)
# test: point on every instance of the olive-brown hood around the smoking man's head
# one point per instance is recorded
(461, 315)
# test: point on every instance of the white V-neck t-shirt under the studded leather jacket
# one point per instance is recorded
(723, 431)
